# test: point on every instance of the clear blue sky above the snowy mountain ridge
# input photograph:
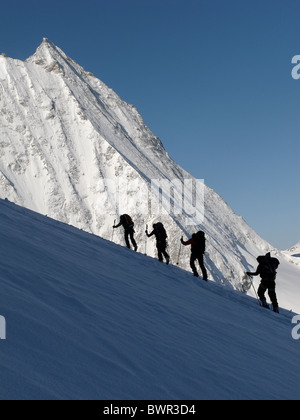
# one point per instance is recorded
(211, 78)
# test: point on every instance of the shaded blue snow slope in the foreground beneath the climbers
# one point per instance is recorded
(88, 319)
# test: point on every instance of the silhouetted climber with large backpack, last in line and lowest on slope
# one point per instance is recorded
(267, 270)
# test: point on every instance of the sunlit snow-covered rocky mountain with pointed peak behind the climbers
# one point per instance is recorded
(70, 148)
